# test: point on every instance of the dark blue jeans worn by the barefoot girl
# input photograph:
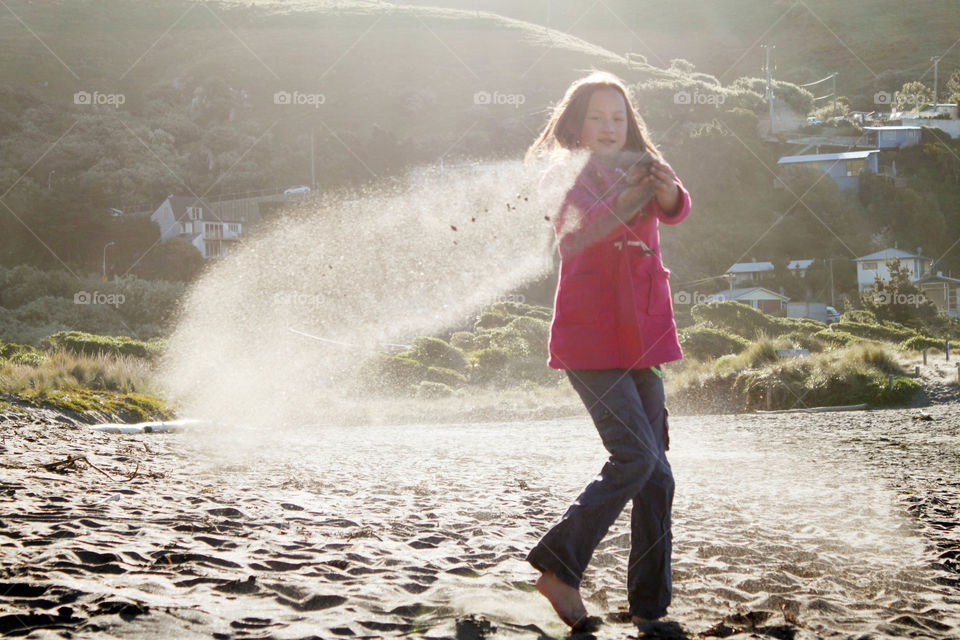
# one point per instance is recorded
(627, 407)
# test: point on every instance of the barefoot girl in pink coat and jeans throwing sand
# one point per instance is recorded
(612, 328)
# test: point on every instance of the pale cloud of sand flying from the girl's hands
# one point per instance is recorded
(357, 273)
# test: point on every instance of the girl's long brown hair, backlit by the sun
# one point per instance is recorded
(562, 131)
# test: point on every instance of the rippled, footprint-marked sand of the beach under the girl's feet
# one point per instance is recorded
(789, 526)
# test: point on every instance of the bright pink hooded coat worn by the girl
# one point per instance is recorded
(613, 308)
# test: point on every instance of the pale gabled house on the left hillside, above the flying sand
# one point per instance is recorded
(211, 227)
